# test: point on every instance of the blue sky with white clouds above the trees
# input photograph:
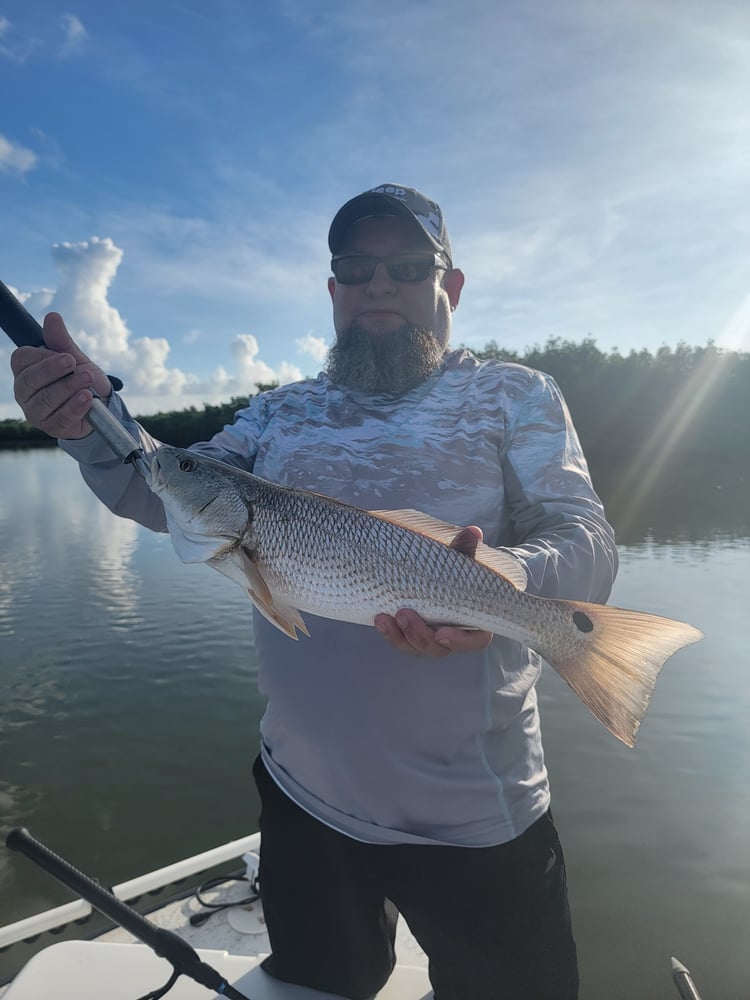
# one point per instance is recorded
(169, 170)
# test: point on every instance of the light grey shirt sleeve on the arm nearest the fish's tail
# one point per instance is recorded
(563, 538)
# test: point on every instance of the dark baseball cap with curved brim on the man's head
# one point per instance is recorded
(393, 199)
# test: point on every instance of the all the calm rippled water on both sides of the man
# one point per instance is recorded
(129, 716)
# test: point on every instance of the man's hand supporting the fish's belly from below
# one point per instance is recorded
(409, 633)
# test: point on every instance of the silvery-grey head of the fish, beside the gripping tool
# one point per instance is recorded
(207, 509)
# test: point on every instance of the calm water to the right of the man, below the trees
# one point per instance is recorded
(656, 836)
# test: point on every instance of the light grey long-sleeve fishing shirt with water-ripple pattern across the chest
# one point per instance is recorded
(383, 746)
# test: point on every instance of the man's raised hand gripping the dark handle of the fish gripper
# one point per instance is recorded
(54, 385)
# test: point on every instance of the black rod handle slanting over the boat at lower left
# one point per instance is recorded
(166, 944)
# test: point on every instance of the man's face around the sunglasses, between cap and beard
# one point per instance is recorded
(383, 306)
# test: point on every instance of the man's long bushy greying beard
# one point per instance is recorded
(387, 365)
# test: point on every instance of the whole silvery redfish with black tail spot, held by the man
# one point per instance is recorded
(295, 551)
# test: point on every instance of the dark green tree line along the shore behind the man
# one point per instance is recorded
(666, 434)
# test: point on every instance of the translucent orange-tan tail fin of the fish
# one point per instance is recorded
(616, 663)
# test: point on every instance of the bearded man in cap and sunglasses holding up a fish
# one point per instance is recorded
(401, 767)
